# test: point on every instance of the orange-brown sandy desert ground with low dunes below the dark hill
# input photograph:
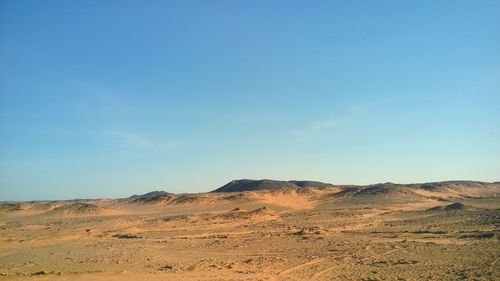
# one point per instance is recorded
(440, 231)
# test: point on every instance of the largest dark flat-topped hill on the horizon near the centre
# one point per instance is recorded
(253, 185)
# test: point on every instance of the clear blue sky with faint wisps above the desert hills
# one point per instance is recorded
(114, 98)
